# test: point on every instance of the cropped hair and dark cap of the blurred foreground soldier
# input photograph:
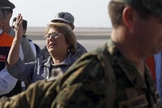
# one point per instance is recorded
(144, 8)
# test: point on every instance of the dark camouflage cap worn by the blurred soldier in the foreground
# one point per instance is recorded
(154, 6)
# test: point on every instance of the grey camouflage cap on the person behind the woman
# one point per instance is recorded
(64, 16)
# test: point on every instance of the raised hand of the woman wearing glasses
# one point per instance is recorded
(18, 26)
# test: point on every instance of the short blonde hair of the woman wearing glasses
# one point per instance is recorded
(67, 32)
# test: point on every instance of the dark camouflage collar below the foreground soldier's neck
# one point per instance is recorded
(129, 70)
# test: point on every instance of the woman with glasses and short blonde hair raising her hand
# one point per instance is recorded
(61, 44)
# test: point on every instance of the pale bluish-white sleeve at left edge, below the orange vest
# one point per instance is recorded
(7, 82)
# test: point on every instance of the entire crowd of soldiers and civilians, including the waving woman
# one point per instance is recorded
(64, 75)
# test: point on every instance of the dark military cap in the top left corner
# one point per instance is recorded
(6, 4)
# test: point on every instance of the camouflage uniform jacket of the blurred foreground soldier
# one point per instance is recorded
(84, 85)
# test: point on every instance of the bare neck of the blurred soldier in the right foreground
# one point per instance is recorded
(123, 41)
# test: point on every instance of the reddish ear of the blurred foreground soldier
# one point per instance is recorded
(129, 16)
